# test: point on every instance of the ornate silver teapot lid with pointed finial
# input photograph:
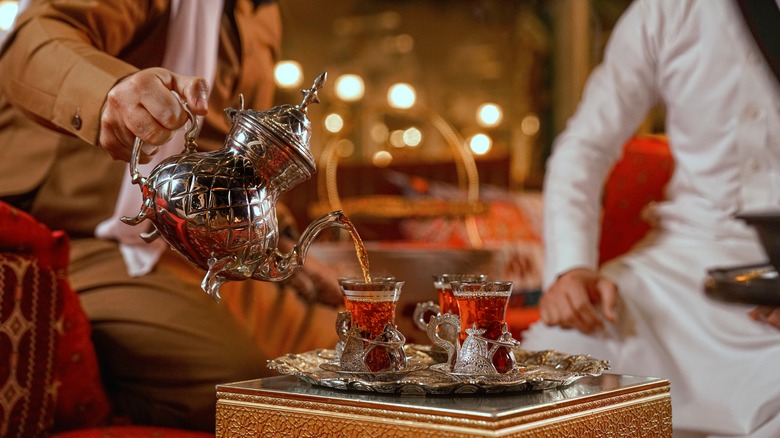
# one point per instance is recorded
(290, 124)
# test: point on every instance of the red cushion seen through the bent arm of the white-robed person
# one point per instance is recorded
(636, 180)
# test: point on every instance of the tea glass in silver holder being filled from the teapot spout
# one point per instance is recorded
(371, 339)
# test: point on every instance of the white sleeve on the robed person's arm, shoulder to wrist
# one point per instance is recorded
(617, 97)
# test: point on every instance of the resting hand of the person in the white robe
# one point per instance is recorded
(572, 301)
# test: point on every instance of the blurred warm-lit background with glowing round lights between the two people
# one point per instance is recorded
(434, 127)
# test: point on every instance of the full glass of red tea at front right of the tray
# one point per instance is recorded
(482, 309)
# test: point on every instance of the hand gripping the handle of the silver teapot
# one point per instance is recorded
(142, 105)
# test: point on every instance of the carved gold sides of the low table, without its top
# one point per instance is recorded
(642, 411)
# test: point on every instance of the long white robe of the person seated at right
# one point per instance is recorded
(723, 123)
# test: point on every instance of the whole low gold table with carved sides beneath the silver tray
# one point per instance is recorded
(609, 405)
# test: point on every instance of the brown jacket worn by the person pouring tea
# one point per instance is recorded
(56, 71)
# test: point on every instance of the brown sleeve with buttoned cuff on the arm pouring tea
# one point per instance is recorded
(62, 59)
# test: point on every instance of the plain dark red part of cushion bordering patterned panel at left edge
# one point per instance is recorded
(80, 398)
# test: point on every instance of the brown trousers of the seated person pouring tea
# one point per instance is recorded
(163, 343)
